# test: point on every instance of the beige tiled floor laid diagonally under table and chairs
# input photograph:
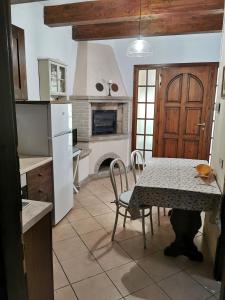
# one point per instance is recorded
(87, 265)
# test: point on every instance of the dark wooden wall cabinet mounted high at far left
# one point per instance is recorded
(19, 63)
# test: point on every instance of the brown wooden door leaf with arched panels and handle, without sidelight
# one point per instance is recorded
(186, 101)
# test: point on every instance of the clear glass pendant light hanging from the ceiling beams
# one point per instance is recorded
(139, 47)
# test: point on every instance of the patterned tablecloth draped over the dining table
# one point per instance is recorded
(172, 183)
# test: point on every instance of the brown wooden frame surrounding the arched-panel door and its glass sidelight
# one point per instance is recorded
(157, 103)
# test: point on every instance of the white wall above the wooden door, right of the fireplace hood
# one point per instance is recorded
(168, 49)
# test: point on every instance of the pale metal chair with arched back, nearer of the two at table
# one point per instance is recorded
(123, 196)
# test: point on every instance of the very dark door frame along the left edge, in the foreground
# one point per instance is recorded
(12, 278)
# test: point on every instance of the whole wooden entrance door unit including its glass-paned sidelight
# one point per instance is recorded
(173, 110)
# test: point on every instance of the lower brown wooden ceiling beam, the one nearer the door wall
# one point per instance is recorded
(167, 25)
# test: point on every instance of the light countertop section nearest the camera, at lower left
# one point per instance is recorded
(34, 212)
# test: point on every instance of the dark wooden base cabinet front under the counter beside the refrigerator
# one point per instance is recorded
(40, 183)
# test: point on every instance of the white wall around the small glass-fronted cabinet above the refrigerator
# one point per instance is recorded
(43, 41)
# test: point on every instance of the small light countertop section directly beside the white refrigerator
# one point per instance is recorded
(28, 163)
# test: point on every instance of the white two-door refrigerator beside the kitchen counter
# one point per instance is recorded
(45, 129)
